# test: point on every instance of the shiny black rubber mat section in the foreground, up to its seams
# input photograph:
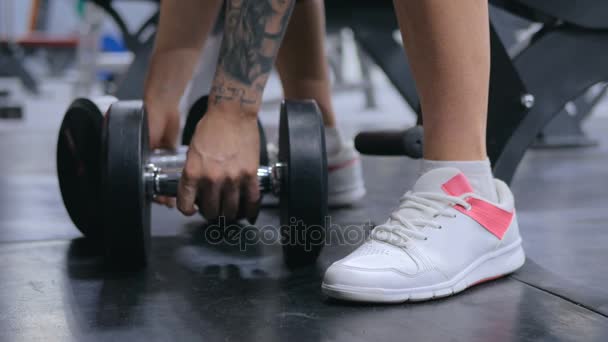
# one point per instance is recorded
(193, 291)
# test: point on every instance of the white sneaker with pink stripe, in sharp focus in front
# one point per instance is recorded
(442, 239)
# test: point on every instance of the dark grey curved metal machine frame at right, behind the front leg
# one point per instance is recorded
(557, 68)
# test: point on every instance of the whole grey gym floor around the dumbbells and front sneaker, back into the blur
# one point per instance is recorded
(53, 288)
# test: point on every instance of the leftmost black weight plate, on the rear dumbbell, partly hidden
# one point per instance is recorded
(78, 168)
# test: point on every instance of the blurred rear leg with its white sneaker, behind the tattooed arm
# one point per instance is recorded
(304, 71)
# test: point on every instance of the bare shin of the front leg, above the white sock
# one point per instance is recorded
(448, 46)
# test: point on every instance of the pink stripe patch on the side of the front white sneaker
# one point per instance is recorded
(491, 217)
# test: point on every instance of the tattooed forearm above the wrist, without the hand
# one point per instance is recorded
(253, 33)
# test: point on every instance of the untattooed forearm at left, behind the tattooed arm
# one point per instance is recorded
(182, 31)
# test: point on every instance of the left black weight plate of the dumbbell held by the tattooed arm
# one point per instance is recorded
(126, 210)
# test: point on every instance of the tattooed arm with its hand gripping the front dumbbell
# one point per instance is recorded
(221, 168)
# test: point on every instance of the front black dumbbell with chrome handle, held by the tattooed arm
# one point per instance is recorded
(131, 176)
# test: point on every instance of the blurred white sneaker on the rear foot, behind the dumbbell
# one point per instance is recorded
(344, 175)
